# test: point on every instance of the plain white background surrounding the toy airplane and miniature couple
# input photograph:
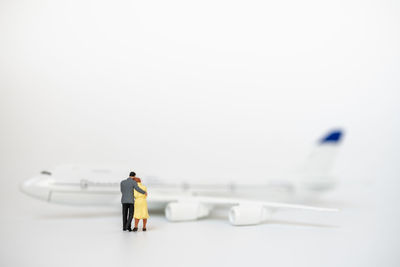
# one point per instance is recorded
(236, 90)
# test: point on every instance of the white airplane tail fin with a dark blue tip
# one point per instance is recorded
(317, 172)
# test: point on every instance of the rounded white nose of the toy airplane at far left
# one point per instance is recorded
(37, 187)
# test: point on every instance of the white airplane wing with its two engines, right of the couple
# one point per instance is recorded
(242, 212)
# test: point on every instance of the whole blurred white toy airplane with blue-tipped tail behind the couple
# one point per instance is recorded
(79, 185)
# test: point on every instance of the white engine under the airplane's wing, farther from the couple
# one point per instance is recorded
(248, 214)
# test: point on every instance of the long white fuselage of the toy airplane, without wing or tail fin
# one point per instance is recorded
(92, 192)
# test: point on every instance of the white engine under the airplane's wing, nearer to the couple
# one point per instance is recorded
(178, 211)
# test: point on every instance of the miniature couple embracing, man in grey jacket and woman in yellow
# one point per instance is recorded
(134, 203)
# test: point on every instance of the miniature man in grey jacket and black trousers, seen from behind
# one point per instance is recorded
(128, 200)
